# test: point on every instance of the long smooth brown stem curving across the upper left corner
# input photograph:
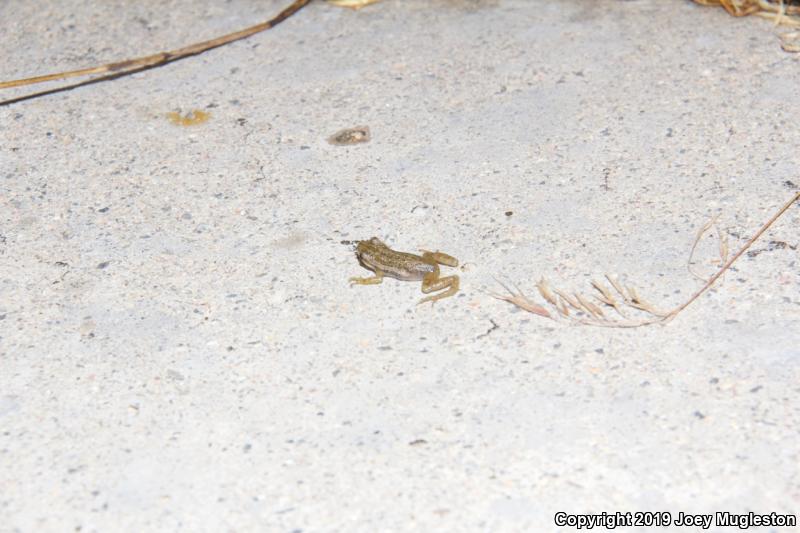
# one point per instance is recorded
(130, 66)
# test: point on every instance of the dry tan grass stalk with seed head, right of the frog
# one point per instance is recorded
(623, 299)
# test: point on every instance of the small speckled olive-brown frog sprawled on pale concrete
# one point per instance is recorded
(376, 256)
